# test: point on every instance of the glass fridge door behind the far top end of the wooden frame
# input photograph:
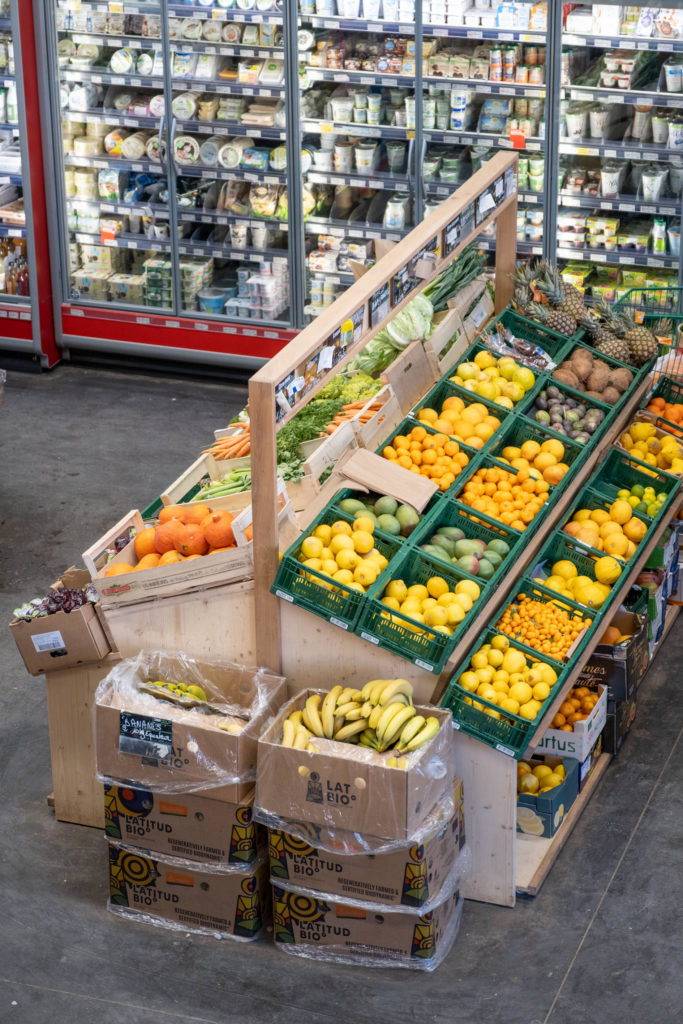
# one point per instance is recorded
(485, 90)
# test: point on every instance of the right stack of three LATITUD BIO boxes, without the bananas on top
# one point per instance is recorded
(367, 861)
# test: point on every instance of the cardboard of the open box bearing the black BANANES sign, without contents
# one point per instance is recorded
(160, 754)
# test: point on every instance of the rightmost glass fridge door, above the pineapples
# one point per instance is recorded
(621, 149)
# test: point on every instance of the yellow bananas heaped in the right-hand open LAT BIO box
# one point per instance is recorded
(380, 716)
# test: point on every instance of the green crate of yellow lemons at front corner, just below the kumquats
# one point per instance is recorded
(508, 734)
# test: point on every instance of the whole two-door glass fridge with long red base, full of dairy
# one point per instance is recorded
(172, 192)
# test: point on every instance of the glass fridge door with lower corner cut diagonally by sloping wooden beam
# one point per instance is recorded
(358, 121)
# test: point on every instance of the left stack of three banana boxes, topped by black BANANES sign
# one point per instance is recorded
(184, 848)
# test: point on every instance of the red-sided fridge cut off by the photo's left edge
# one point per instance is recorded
(26, 315)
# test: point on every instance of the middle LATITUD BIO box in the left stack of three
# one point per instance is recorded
(189, 826)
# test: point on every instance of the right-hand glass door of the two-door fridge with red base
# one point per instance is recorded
(229, 121)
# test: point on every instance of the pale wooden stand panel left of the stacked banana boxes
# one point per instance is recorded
(78, 795)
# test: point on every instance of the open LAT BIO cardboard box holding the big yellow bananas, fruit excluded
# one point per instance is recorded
(344, 787)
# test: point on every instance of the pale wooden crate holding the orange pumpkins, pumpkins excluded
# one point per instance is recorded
(224, 567)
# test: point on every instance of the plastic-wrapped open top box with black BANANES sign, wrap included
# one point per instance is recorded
(176, 742)
